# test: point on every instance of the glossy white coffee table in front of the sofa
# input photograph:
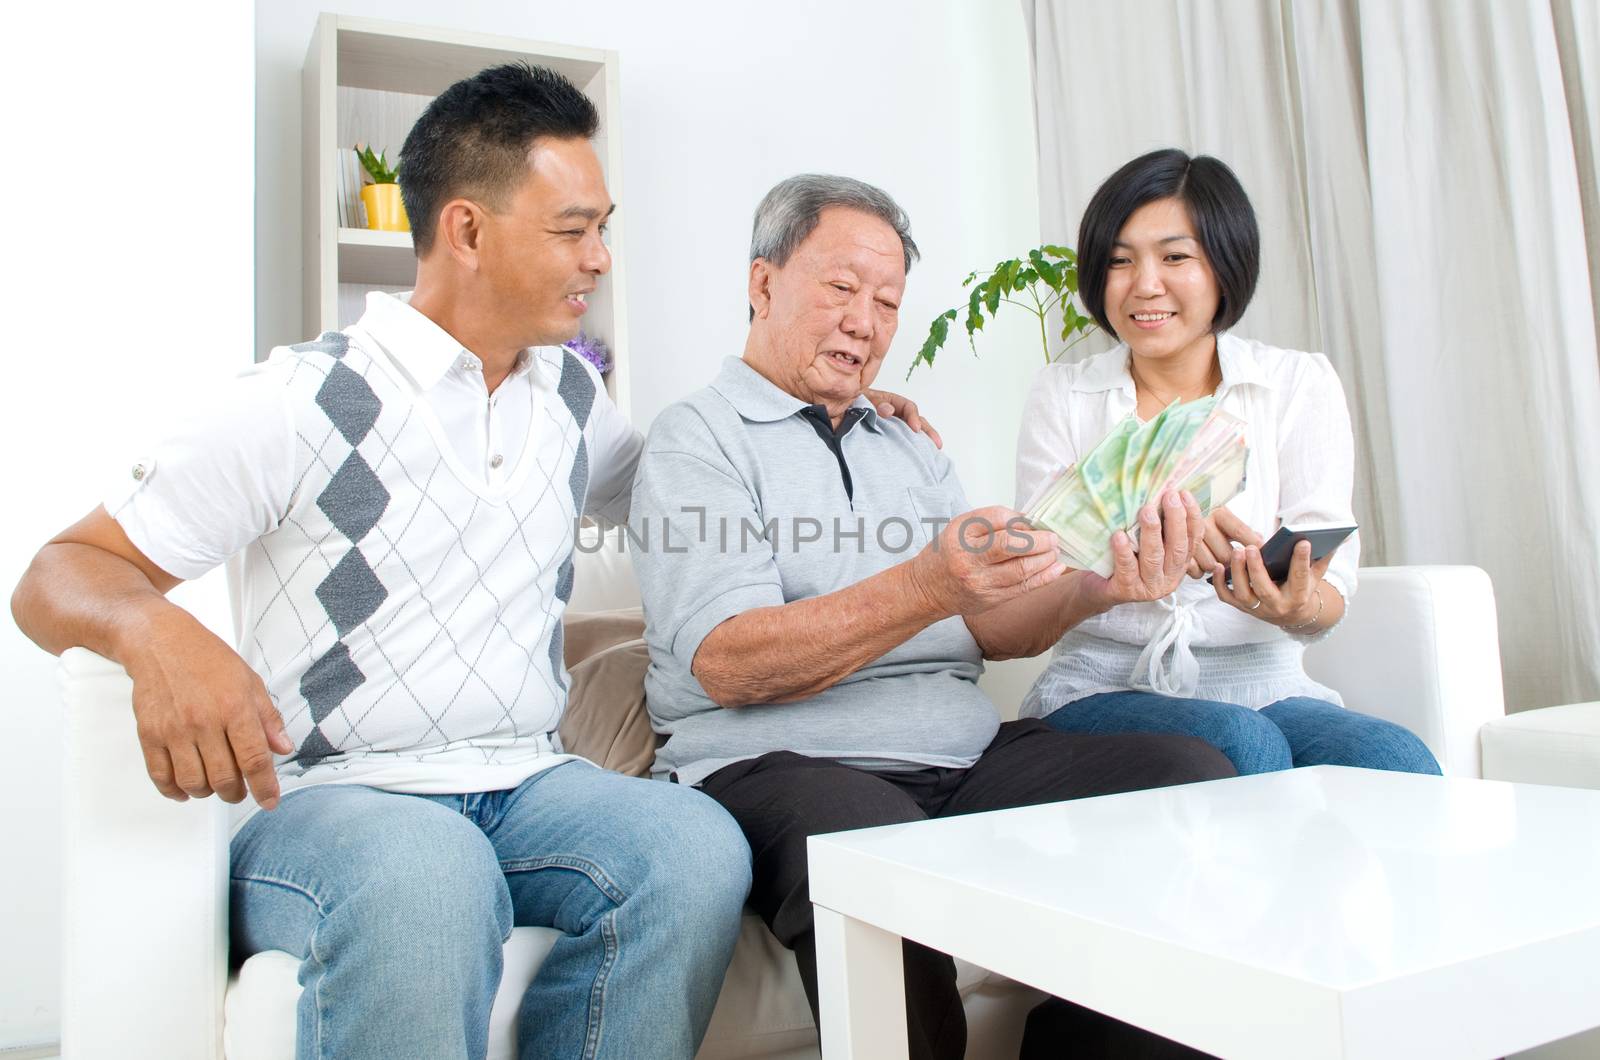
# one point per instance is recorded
(1311, 913)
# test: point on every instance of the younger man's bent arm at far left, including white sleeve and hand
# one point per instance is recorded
(222, 478)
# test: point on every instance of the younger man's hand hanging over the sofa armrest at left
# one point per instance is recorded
(204, 717)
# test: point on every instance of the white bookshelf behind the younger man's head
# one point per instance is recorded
(367, 82)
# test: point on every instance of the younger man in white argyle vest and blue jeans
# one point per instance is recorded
(396, 504)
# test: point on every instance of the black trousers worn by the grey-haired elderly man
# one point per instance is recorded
(782, 798)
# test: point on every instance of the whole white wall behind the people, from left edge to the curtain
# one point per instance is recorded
(142, 310)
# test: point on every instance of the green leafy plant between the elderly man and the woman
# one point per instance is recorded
(1047, 276)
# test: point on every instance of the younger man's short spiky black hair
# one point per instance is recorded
(474, 140)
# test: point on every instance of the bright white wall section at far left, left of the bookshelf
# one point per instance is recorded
(129, 244)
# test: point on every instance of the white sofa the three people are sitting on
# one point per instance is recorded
(146, 881)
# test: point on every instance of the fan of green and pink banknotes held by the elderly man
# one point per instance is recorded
(1193, 448)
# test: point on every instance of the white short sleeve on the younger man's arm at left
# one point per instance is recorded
(215, 481)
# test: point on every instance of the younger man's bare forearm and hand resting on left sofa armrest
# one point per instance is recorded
(206, 720)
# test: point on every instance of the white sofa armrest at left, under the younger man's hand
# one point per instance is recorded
(145, 957)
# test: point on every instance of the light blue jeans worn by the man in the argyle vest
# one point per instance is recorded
(398, 907)
